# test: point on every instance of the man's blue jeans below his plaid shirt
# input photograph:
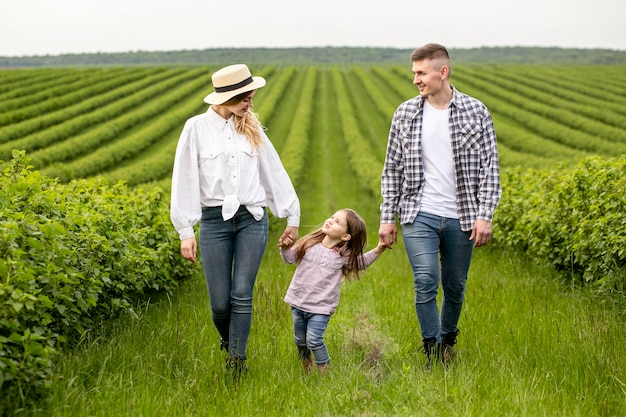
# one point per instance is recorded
(438, 250)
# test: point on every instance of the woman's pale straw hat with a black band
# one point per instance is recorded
(231, 81)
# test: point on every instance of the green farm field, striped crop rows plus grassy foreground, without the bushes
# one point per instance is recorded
(530, 346)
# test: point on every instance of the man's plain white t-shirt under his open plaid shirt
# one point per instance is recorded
(439, 193)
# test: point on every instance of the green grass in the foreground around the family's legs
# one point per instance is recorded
(529, 346)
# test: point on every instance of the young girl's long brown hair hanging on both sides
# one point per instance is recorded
(352, 248)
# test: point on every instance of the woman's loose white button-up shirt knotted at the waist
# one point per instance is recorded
(215, 166)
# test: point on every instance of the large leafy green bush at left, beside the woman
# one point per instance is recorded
(72, 256)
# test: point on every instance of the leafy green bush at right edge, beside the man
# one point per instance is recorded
(573, 218)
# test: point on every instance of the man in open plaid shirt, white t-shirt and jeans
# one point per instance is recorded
(441, 178)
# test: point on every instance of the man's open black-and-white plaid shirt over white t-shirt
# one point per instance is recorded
(475, 151)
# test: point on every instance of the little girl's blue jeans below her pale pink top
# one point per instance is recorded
(308, 334)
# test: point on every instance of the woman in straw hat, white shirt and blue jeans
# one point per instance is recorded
(226, 171)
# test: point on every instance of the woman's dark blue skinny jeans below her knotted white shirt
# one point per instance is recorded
(231, 255)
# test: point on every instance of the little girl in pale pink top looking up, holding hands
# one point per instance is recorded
(323, 257)
